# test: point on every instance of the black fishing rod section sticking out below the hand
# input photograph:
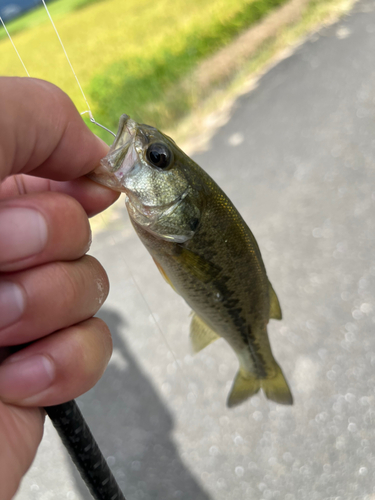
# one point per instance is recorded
(84, 451)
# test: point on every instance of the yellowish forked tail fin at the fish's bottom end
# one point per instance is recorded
(246, 385)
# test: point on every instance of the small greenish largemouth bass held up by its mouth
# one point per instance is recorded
(204, 250)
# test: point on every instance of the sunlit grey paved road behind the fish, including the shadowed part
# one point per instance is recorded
(298, 159)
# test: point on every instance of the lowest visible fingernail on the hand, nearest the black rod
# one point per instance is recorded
(22, 378)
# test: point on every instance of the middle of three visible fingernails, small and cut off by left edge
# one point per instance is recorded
(12, 303)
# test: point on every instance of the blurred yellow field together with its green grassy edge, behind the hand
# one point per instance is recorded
(129, 55)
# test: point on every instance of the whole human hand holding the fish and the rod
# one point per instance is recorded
(49, 288)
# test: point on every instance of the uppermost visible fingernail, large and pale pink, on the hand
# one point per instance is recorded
(23, 233)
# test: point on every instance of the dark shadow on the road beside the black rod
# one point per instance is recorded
(133, 428)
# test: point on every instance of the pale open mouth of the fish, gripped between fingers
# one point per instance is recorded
(120, 158)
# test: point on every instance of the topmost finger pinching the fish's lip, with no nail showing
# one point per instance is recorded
(42, 132)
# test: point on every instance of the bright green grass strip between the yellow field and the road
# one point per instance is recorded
(148, 87)
